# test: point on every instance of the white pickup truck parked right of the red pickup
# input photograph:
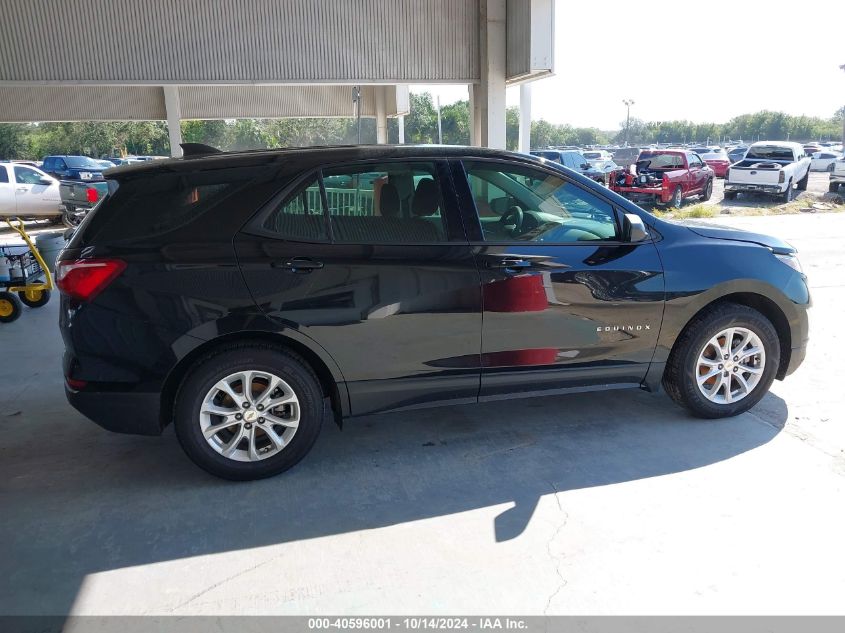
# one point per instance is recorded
(770, 167)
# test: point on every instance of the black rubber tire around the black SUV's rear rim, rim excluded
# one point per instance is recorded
(241, 357)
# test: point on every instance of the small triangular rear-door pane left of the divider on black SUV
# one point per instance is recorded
(301, 216)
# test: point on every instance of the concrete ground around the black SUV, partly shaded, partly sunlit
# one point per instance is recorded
(607, 503)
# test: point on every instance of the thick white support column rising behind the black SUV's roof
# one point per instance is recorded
(487, 99)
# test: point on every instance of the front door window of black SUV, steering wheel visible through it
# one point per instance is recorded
(517, 203)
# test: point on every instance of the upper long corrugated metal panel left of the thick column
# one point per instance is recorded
(240, 41)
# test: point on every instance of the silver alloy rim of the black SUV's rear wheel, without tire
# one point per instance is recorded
(249, 416)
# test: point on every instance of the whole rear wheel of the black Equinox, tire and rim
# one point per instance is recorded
(248, 411)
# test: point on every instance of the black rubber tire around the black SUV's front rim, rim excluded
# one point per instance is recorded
(680, 376)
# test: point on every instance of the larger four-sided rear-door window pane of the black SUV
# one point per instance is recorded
(387, 203)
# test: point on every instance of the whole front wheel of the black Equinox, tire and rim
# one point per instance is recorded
(724, 361)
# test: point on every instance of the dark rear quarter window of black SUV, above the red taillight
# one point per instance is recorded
(158, 203)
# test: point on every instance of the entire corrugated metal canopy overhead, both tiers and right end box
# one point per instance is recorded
(154, 59)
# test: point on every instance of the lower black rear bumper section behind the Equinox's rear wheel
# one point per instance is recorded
(121, 412)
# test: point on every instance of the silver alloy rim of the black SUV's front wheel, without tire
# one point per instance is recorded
(730, 365)
